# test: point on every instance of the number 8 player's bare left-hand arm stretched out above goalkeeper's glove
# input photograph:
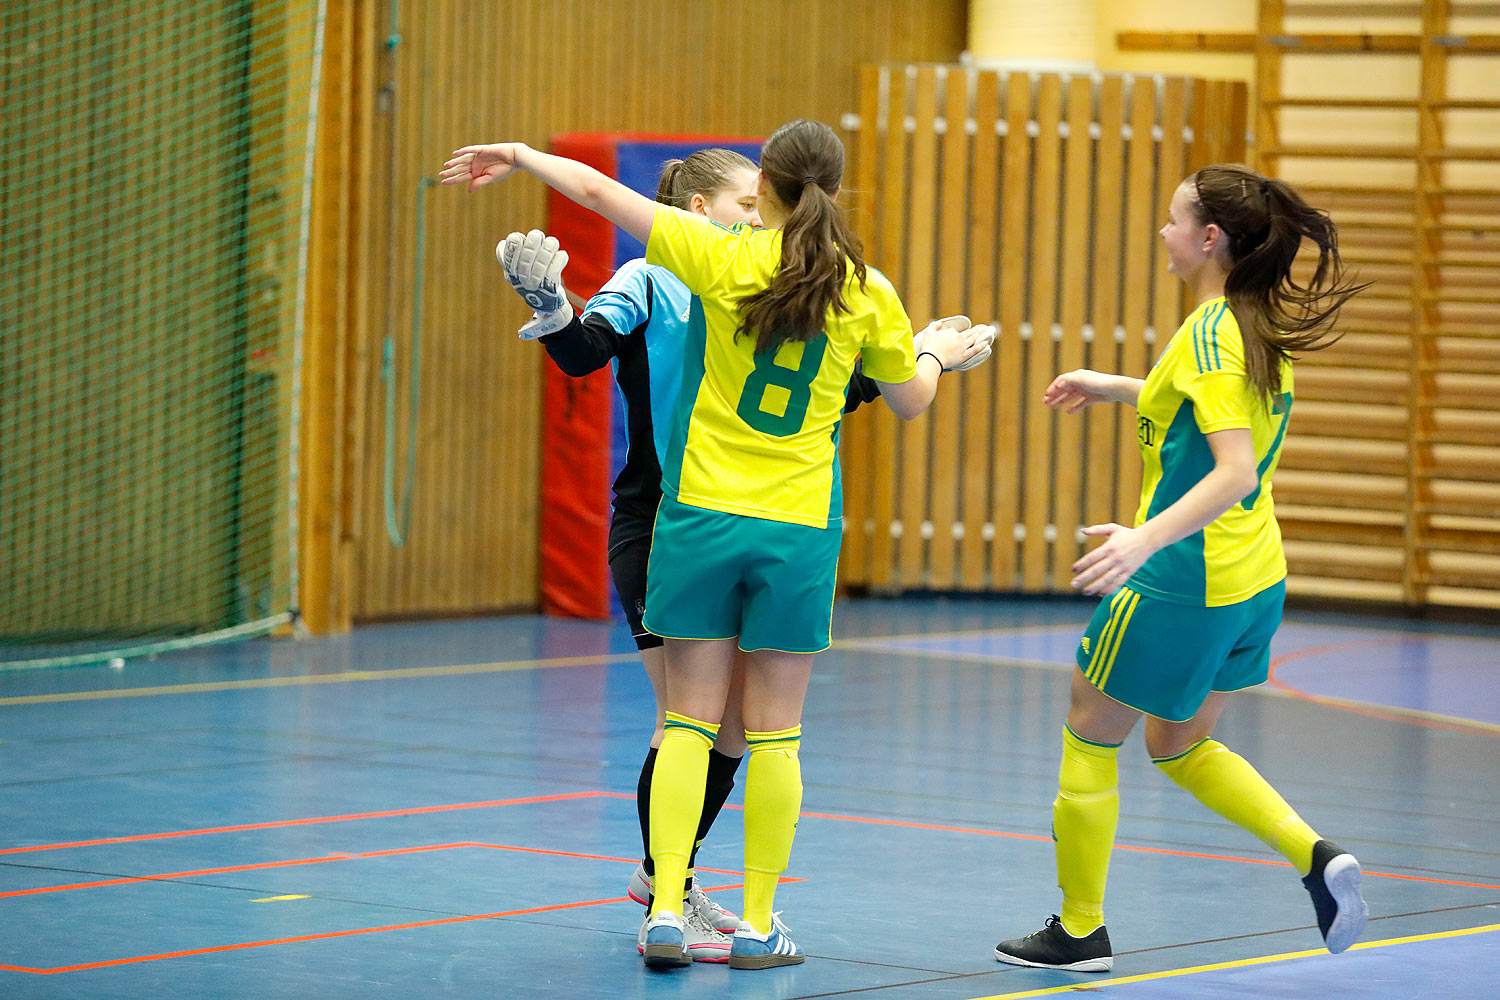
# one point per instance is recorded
(479, 166)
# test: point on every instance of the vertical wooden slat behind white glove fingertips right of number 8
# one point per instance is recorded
(979, 389)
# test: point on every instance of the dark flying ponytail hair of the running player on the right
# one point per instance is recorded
(1265, 223)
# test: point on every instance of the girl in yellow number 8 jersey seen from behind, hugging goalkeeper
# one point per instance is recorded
(748, 534)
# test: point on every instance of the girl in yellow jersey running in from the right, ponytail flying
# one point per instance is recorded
(1196, 587)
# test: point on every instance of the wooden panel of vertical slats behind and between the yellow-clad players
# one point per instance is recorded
(1060, 251)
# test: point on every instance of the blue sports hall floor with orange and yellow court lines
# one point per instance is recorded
(448, 810)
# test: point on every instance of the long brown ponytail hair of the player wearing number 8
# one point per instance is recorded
(803, 163)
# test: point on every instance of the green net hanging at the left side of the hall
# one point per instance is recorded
(154, 190)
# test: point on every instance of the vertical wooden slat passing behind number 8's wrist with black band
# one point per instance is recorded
(922, 232)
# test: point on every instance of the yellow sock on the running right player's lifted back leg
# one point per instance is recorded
(1226, 783)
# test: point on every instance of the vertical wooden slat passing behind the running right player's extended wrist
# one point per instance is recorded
(1105, 355)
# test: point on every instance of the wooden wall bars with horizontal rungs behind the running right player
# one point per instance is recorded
(1388, 118)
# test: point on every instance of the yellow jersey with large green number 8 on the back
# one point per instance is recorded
(758, 434)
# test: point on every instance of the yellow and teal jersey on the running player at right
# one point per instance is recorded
(1198, 388)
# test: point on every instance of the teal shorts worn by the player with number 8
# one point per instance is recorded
(718, 576)
